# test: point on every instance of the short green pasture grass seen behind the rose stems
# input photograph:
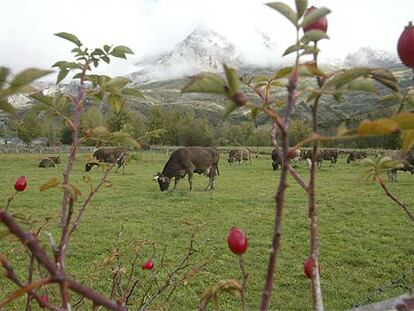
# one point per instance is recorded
(366, 240)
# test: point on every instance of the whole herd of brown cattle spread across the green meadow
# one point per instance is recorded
(186, 161)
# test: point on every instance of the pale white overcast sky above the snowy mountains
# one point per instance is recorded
(154, 26)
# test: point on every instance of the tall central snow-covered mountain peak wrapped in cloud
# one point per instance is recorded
(203, 50)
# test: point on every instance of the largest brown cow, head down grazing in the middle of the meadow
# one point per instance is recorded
(186, 161)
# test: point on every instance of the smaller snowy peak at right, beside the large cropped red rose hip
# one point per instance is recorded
(366, 56)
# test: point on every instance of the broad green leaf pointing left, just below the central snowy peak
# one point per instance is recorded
(206, 83)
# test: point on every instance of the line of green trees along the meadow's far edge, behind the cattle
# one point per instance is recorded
(180, 127)
